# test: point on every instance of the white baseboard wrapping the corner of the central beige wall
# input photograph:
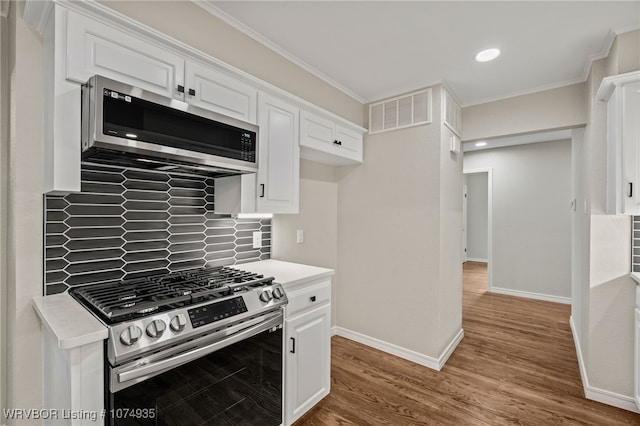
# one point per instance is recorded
(399, 351)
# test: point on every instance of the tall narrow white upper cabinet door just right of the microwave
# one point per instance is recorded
(278, 156)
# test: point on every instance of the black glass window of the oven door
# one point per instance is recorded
(237, 385)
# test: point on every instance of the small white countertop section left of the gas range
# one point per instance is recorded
(70, 323)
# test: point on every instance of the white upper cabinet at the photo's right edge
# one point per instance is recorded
(622, 94)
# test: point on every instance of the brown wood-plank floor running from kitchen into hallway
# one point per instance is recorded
(516, 365)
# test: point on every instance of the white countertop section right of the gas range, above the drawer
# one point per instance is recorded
(286, 273)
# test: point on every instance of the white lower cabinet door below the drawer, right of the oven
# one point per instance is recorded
(308, 361)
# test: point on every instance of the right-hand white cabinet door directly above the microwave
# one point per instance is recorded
(218, 92)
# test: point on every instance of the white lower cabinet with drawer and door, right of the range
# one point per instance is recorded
(308, 349)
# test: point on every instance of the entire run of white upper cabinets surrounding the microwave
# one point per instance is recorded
(84, 39)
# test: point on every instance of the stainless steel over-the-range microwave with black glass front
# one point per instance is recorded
(125, 125)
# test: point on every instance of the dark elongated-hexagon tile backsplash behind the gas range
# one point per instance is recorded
(127, 223)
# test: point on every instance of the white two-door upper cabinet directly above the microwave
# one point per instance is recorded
(97, 48)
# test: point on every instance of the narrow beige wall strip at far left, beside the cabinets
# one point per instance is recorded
(24, 215)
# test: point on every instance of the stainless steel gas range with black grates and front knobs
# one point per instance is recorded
(201, 346)
